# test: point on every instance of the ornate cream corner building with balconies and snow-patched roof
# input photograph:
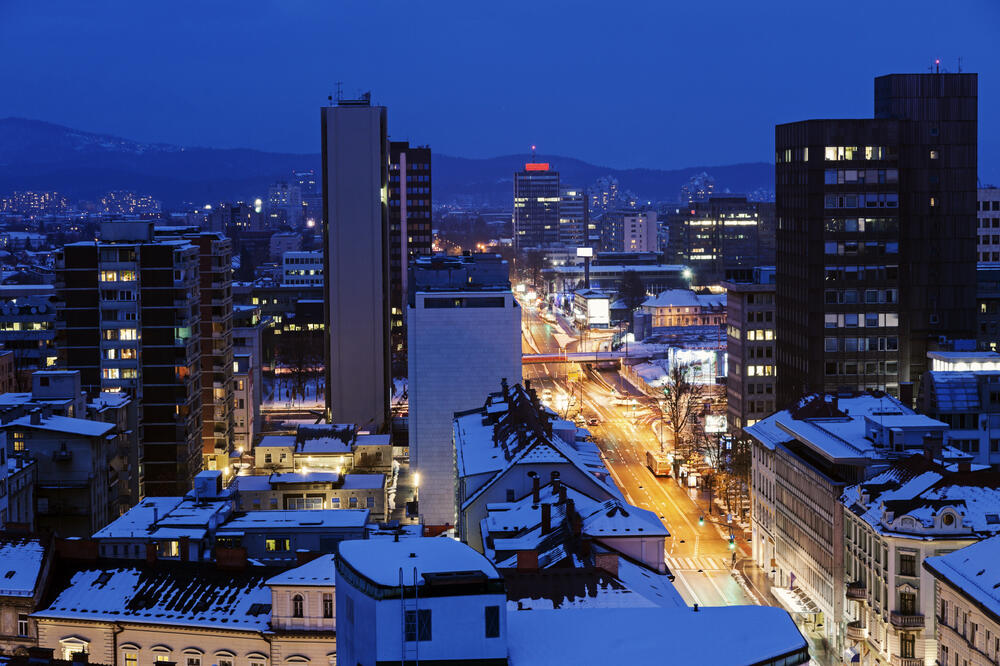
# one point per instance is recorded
(915, 509)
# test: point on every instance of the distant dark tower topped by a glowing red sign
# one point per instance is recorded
(536, 206)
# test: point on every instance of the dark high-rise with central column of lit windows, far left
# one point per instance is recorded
(130, 321)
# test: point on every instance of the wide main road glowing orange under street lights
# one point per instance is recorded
(699, 555)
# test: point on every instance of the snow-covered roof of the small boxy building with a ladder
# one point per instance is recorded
(381, 560)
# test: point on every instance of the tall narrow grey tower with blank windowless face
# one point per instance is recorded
(356, 235)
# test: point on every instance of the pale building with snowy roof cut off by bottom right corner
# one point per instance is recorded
(967, 603)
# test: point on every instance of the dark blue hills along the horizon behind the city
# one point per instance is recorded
(82, 165)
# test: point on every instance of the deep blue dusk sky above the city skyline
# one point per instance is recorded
(655, 83)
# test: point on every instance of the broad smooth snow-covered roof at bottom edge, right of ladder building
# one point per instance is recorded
(639, 636)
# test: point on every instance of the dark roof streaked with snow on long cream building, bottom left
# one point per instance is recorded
(189, 596)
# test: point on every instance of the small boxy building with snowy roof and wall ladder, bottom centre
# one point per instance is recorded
(432, 598)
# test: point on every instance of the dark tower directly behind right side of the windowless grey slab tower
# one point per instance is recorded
(409, 225)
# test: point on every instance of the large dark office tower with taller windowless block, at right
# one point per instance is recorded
(876, 239)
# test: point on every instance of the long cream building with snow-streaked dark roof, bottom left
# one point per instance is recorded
(192, 614)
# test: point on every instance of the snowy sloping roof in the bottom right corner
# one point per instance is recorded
(974, 571)
